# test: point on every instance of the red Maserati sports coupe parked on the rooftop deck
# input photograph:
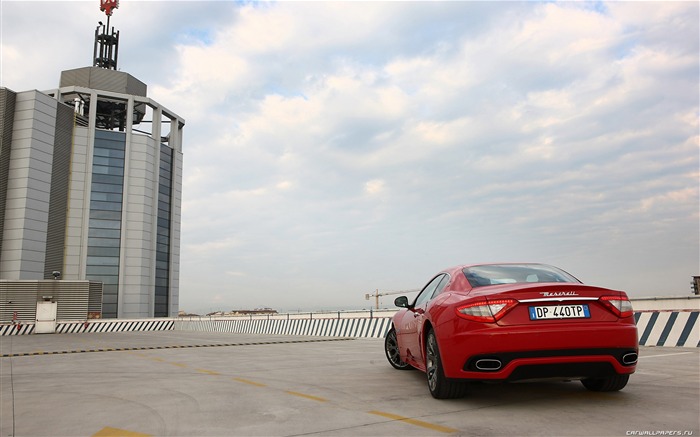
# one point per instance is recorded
(511, 322)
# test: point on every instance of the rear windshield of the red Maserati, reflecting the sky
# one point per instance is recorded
(493, 274)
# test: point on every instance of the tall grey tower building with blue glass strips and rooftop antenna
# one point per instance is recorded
(91, 187)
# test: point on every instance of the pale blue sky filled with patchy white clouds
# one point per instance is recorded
(332, 149)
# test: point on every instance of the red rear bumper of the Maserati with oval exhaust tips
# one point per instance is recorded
(516, 353)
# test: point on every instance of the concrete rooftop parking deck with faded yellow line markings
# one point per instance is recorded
(221, 384)
